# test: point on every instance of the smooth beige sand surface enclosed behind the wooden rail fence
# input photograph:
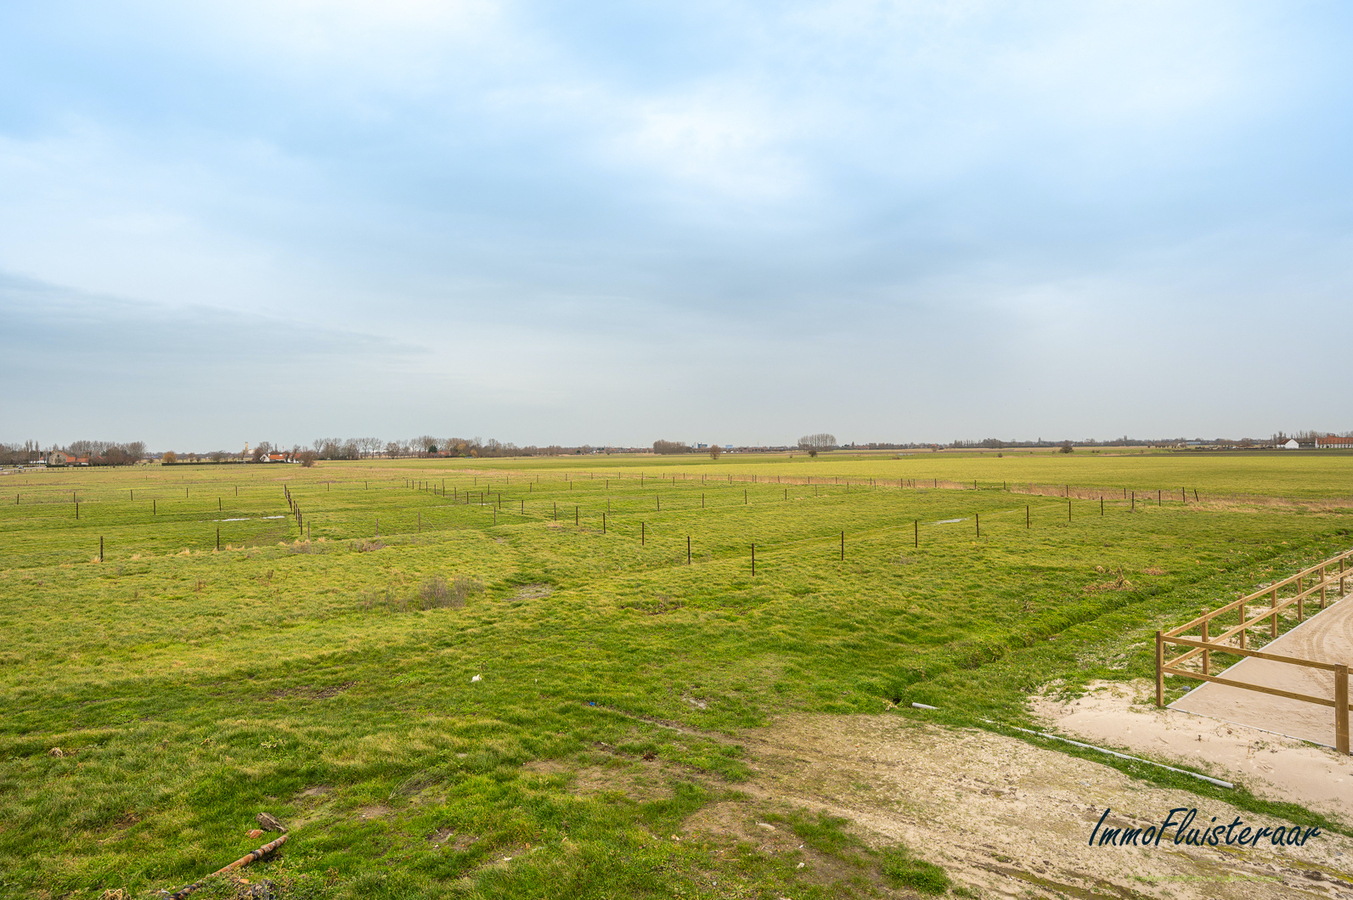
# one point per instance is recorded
(1325, 638)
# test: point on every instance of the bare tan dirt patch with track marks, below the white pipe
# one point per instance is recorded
(1009, 819)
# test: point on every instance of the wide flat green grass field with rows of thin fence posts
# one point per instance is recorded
(424, 668)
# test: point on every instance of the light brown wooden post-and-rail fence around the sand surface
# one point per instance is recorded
(1232, 639)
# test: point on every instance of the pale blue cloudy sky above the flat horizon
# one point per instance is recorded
(707, 221)
